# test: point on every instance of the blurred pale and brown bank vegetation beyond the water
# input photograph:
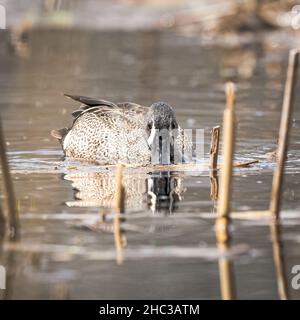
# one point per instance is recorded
(189, 16)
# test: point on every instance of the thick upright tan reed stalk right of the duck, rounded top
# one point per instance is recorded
(226, 169)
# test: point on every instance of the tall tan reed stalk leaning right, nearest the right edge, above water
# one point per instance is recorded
(285, 123)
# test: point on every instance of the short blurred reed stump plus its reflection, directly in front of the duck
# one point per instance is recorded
(119, 208)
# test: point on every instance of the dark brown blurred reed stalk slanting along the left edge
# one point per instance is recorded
(13, 218)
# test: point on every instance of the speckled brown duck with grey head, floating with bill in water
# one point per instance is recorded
(106, 133)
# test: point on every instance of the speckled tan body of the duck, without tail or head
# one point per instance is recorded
(108, 134)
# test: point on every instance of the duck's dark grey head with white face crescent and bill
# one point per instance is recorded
(161, 125)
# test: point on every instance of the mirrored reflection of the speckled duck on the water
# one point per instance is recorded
(158, 191)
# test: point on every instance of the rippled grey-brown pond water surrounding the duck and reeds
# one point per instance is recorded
(70, 246)
